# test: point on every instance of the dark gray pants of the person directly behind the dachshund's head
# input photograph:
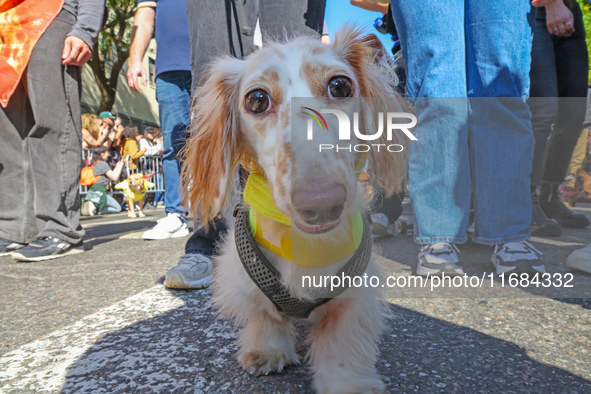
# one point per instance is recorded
(226, 27)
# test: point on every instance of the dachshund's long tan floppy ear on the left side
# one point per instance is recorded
(210, 153)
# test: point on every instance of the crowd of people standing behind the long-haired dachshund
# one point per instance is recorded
(468, 72)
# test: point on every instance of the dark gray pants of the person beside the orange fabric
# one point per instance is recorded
(41, 147)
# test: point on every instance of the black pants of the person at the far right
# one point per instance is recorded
(558, 97)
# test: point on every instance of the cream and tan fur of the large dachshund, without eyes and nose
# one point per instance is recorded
(346, 330)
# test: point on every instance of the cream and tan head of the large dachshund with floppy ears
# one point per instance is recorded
(243, 114)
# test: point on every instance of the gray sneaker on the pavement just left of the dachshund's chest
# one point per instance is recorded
(192, 272)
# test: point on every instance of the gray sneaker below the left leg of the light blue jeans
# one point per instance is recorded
(439, 258)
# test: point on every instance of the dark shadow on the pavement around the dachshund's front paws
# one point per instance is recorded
(188, 350)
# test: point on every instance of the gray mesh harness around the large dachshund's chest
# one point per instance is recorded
(268, 279)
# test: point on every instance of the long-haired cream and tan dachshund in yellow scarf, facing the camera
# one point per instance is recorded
(243, 115)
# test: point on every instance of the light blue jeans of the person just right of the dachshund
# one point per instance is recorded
(469, 140)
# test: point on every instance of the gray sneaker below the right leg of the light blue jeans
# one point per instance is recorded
(517, 257)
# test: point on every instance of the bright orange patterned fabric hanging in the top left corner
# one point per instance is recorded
(22, 22)
